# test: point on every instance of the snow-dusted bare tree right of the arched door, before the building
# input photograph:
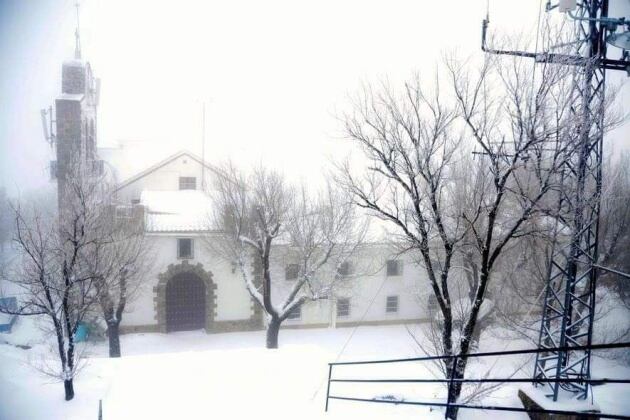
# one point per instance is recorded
(262, 219)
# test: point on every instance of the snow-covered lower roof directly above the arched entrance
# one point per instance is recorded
(176, 211)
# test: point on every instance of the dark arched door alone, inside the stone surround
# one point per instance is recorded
(185, 303)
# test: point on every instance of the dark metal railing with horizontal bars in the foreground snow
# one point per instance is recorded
(452, 380)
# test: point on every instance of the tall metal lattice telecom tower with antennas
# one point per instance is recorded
(568, 309)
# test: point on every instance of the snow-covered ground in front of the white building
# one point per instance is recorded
(194, 375)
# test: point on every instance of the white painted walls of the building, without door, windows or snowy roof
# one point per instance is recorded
(367, 289)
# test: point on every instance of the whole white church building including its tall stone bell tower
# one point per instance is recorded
(188, 286)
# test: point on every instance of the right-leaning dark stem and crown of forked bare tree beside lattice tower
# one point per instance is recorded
(521, 126)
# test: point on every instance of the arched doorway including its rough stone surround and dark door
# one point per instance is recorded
(185, 298)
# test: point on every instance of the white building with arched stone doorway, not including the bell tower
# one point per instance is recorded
(189, 287)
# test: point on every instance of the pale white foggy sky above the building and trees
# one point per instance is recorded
(273, 73)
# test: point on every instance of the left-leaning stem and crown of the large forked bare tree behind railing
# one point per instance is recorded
(411, 144)
